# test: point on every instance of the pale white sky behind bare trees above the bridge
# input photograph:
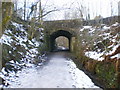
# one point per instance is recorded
(96, 7)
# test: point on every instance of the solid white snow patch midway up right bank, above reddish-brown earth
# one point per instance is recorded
(94, 55)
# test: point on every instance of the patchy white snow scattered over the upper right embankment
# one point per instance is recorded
(105, 33)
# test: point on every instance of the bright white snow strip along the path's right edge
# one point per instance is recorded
(82, 80)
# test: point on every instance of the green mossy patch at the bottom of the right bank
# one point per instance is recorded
(106, 72)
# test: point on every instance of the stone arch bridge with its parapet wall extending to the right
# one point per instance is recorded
(70, 29)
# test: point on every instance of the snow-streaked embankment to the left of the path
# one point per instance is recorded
(20, 47)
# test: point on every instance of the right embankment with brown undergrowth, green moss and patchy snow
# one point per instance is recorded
(101, 41)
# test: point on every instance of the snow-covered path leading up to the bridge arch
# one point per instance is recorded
(59, 72)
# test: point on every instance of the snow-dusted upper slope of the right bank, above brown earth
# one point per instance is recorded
(104, 35)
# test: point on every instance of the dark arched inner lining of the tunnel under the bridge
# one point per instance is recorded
(57, 34)
